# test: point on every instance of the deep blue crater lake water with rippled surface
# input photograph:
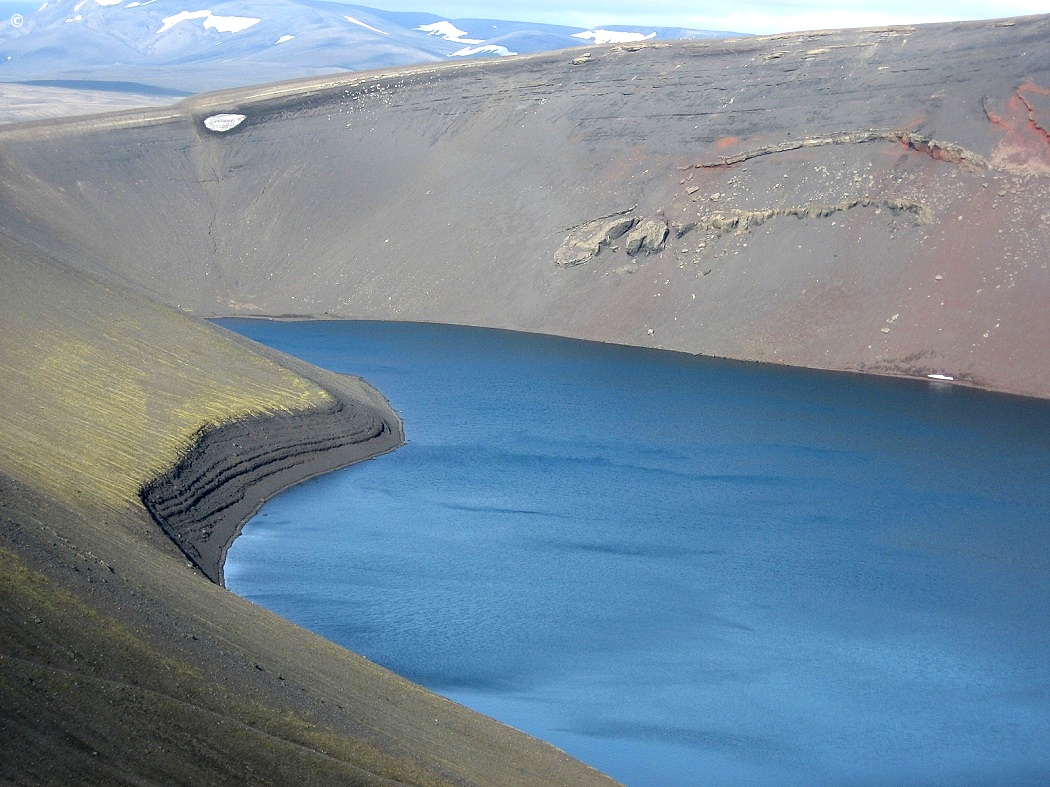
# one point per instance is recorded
(684, 570)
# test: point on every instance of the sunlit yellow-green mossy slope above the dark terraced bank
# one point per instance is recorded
(102, 392)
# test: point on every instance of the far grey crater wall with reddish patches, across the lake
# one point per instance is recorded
(865, 200)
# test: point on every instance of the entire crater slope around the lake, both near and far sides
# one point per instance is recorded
(869, 201)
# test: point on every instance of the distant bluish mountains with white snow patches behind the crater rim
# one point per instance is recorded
(173, 47)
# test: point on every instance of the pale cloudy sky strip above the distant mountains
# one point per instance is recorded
(741, 16)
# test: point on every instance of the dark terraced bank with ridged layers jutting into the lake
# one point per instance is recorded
(203, 503)
